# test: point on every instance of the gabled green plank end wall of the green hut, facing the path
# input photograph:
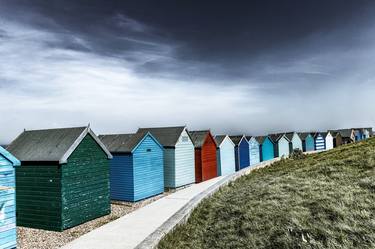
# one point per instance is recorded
(85, 184)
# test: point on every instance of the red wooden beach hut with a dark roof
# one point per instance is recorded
(205, 155)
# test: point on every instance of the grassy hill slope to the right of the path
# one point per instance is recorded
(325, 200)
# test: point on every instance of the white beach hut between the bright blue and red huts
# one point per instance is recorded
(179, 166)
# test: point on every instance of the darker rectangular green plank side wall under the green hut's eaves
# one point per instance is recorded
(39, 200)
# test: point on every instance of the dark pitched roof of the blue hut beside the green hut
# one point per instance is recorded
(122, 143)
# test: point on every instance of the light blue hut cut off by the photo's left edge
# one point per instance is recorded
(8, 233)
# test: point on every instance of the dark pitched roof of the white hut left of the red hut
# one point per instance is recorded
(167, 136)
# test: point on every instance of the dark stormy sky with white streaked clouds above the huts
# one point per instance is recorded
(251, 67)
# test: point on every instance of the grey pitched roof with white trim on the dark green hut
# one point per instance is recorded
(51, 145)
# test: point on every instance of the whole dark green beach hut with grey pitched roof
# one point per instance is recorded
(63, 180)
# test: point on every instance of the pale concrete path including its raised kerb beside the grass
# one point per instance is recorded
(144, 227)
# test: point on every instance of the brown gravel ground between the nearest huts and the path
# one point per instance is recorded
(29, 238)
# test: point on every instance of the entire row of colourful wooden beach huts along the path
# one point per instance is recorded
(56, 179)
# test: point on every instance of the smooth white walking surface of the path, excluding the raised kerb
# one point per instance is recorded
(130, 230)
